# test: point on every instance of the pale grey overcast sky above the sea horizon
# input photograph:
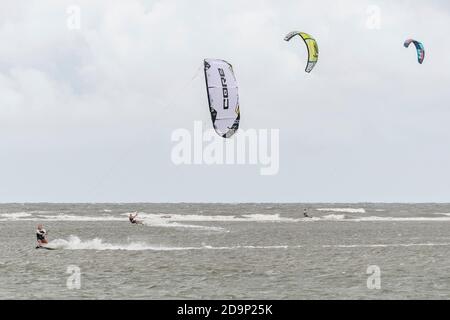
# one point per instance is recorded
(87, 115)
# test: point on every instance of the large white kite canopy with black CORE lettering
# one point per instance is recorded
(223, 96)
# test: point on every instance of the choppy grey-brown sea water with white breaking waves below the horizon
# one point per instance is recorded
(224, 251)
